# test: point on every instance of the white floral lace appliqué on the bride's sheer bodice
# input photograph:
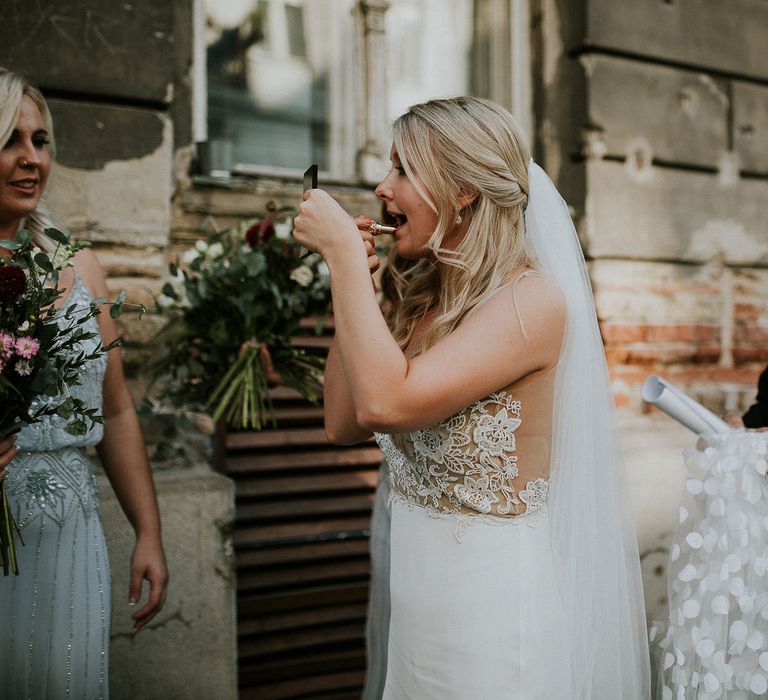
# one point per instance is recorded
(465, 465)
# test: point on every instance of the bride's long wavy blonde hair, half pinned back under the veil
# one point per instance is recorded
(453, 149)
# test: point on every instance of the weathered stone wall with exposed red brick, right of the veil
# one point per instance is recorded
(653, 122)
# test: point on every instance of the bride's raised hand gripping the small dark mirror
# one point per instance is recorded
(323, 226)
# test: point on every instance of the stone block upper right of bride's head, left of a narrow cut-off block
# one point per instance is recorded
(673, 115)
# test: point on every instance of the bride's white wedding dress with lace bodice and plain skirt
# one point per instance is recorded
(476, 610)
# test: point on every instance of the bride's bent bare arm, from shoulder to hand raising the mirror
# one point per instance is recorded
(486, 352)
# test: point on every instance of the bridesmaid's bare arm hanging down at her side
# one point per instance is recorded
(124, 458)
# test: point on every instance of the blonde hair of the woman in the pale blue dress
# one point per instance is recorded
(13, 88)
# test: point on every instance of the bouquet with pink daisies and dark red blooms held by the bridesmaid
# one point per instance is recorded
(40, 351)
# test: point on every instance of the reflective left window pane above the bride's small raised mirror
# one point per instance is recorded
(268, 79)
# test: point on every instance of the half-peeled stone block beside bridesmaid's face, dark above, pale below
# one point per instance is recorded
(125, 199)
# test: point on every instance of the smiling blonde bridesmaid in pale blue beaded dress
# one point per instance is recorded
(54, 617)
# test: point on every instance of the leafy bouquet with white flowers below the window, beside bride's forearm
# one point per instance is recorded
(234, 303)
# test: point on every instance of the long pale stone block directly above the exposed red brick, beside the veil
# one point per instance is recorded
(664, 214)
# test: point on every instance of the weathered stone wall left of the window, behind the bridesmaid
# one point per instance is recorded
(118, 80)
